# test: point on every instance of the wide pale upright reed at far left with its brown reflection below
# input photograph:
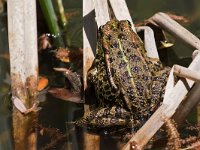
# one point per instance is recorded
(22, 32)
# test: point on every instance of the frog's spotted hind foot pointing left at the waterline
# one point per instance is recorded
(105, 117)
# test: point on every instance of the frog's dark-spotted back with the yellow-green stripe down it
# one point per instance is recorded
(135, 75)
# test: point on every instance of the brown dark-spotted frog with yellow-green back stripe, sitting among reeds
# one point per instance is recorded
(128, 84)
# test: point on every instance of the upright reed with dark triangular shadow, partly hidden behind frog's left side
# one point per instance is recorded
(89, 45)
